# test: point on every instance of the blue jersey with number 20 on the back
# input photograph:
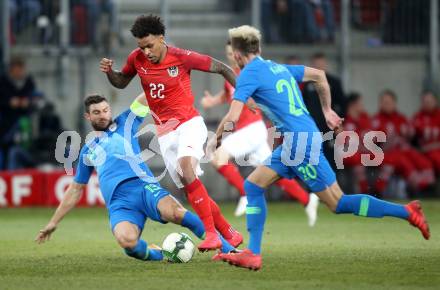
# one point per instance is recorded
(274, 87)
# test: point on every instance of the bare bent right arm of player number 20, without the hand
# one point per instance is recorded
(321, 86)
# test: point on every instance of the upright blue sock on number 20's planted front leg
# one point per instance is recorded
(255, 215)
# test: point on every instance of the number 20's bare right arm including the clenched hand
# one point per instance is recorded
(323, 89)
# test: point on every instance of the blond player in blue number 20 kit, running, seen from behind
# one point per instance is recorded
(274, 87)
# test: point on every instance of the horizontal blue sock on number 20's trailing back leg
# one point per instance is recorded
(369, 206)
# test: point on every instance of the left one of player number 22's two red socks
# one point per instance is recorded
(201, 203)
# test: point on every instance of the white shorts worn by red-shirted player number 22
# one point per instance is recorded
(186, 140)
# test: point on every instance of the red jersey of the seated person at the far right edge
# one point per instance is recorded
(427, 129)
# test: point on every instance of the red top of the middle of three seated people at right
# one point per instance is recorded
(396, 127)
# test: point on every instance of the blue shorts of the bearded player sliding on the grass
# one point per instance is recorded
(134, 201)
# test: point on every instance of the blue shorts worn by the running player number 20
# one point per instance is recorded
(317, 177)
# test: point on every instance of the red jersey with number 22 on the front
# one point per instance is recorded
(167, 85)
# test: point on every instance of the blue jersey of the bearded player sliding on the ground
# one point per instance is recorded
(115, 155)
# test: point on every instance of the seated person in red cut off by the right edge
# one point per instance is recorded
(427, 128)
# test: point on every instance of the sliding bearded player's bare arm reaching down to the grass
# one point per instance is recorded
(70, 199)
